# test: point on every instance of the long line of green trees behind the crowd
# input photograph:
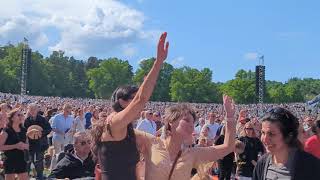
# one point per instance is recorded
(60, 75)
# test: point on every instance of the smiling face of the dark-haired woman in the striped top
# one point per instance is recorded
(272, 138)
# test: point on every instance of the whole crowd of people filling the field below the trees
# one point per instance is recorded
(130, 138)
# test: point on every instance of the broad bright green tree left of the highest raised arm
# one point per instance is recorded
(108, 76)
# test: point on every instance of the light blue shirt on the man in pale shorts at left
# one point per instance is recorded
(63, 124)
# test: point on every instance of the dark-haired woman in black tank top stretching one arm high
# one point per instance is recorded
(115, 140)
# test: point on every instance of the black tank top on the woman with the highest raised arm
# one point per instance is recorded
(118, 159)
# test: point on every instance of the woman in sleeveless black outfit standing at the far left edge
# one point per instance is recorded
(13, 143)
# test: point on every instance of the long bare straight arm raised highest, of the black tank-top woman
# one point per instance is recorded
(120, 120)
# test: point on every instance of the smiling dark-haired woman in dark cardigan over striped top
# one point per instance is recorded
(286, 158)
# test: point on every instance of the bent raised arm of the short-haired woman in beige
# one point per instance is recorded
(212, 153)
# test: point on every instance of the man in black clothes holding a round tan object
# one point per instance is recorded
(37, 145)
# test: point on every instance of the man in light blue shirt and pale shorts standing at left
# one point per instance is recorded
(61, 124)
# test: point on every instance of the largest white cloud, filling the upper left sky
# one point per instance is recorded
(84, 27)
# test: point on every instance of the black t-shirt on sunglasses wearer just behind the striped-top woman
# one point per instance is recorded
(253, 146)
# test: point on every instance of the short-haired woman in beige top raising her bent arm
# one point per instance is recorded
(171, 158)
